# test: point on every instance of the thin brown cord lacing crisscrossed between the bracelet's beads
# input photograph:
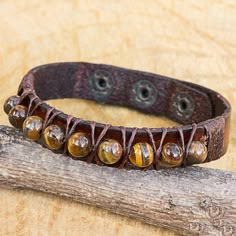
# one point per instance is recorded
(52, 113)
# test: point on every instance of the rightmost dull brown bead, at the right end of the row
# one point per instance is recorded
(197, 153)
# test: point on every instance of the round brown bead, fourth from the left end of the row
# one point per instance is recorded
(53, 137)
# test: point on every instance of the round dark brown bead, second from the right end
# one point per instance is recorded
(171, 156)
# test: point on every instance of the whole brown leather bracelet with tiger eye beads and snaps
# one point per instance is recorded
(204, 114)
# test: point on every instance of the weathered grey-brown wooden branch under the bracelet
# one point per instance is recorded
(193, 200)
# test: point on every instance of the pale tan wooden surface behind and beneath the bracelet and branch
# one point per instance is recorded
(190, 40)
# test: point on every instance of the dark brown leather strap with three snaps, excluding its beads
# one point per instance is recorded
(184, 102)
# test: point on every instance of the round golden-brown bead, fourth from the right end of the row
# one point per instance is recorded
(109, 151)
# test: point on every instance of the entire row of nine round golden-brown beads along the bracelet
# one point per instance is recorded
(109, 151)
